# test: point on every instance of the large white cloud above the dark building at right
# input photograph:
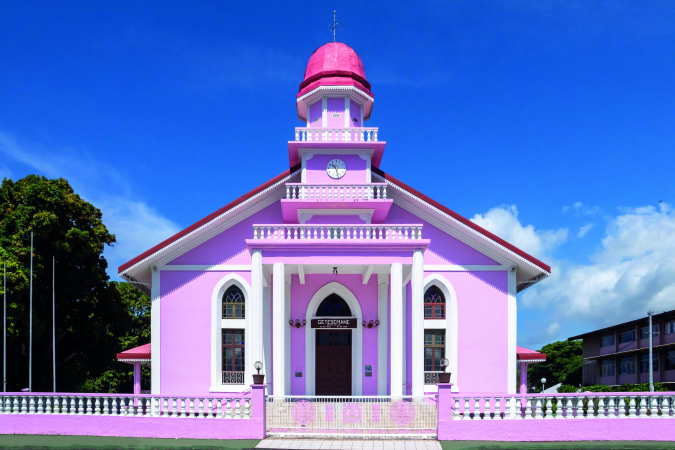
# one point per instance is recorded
(633, 272)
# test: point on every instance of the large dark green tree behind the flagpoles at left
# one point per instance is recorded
(94, 318)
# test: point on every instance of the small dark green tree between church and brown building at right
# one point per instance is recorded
(563, 365)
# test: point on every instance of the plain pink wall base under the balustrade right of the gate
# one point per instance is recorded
(637, 429)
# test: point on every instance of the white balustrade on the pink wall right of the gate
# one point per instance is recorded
(621, 405)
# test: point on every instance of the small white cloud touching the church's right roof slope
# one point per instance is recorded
(503, 221)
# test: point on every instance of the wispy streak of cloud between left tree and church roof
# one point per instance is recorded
(136, 225)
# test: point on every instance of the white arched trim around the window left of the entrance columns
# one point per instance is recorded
(217, 334)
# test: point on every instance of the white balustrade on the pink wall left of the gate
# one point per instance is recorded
(127, 405)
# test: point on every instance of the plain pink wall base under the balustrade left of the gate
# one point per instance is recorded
(151, 427)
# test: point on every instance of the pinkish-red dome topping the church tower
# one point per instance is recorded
(334, 64)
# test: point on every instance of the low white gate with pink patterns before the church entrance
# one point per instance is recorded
(363, 414)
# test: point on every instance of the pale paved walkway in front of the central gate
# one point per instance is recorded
(356, 444)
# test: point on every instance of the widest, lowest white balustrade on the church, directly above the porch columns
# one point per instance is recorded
(337, 232)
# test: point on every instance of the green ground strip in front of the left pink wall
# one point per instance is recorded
(19, 441)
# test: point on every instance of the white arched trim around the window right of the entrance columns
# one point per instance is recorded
(451, 321)
